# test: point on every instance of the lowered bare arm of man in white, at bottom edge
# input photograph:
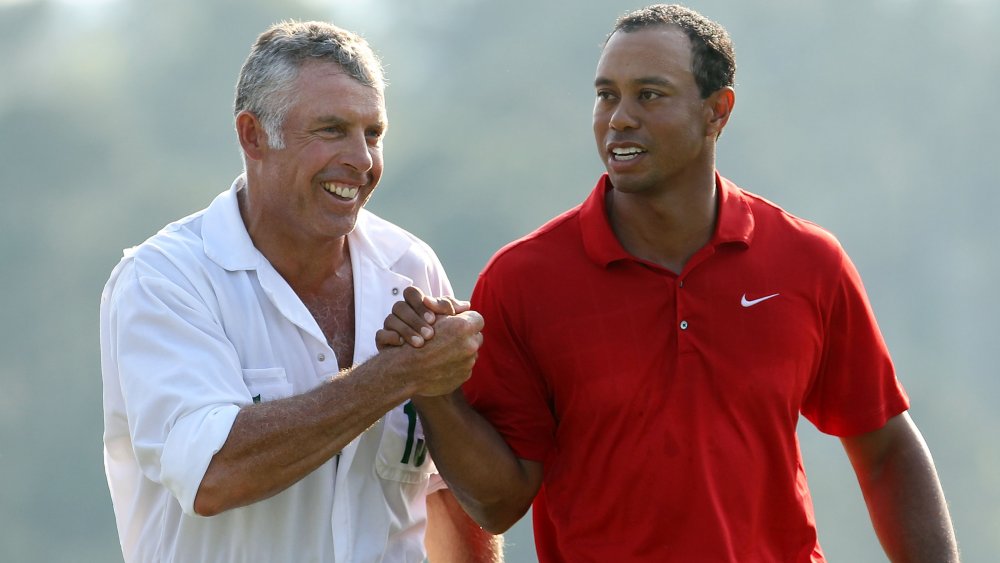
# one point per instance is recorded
(453, 537)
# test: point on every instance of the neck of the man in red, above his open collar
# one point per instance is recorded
(668, 226)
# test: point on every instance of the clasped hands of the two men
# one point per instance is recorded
(437, 338)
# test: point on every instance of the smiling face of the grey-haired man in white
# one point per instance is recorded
(311, 191)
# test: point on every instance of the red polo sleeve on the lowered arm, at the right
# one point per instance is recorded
(855, 389)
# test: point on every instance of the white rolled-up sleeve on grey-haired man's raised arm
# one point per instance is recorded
(180, 379)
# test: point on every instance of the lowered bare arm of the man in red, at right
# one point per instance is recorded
(902, 491)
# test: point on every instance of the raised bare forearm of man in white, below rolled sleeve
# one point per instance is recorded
(274, 445)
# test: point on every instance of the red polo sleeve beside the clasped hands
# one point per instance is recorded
(506, 386)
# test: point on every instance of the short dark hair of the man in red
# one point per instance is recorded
(712, 58)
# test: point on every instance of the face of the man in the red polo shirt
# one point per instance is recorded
(651, 124)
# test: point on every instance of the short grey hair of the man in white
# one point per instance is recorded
(266, 84)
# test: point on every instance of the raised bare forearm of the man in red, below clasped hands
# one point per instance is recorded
(493, 485)
